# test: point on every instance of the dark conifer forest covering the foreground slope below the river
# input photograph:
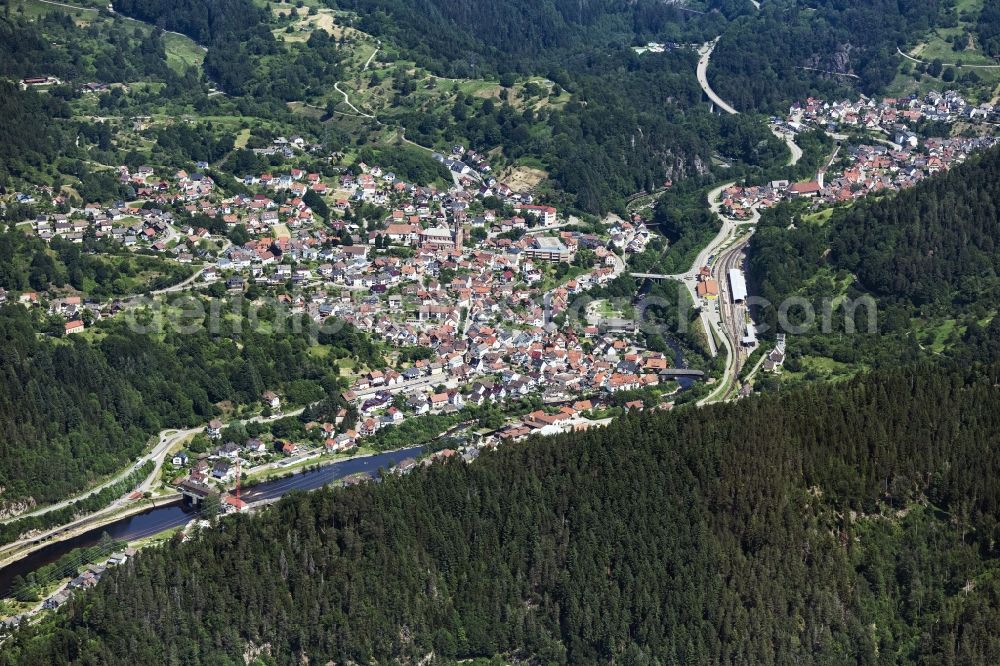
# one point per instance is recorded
(851, 522)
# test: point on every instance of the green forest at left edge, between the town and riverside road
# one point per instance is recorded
(74, 410)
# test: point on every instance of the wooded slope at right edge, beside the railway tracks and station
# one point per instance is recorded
(926, 255)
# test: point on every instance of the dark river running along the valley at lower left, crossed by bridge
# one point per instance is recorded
(175, 514)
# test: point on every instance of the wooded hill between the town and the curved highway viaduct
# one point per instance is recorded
(633, 125)
